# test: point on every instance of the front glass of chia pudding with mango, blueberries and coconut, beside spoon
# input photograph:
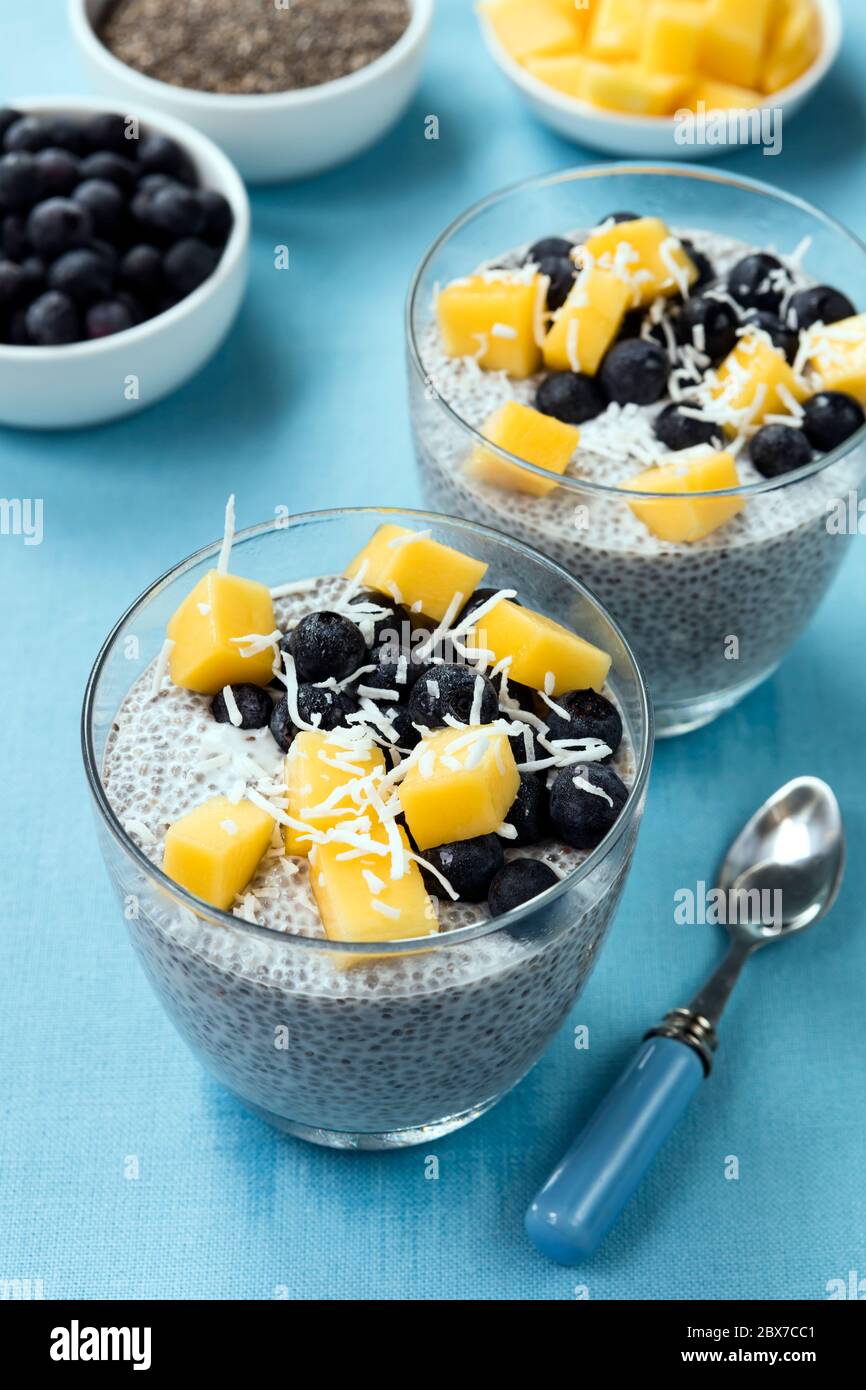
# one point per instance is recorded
(382, 967)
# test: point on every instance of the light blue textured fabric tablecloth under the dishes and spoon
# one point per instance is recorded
(94, 1081)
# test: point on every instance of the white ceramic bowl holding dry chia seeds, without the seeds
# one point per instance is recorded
(283, 136)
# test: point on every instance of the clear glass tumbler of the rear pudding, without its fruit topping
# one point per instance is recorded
(708, 621)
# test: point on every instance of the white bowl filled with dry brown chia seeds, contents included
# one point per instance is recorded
(287, 88)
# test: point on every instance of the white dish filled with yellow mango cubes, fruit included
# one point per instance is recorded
(664, 79)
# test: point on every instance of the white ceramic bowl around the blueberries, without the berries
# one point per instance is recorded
(91, 383)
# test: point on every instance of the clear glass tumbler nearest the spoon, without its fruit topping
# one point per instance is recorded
(411, 1047)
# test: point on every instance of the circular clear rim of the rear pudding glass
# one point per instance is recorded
(698, 173)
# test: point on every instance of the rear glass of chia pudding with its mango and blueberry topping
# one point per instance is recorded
(657, 376)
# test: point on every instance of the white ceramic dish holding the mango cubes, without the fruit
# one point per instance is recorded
(653, 137)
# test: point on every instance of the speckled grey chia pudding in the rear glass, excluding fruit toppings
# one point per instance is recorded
(712, 616)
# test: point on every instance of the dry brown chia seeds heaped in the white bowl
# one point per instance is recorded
(251, 47)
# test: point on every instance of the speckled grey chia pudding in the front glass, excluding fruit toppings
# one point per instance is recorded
(394, 1049)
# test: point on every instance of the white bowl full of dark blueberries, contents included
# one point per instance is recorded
(123, 259)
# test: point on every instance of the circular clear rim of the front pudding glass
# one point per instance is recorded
(447, 939)
